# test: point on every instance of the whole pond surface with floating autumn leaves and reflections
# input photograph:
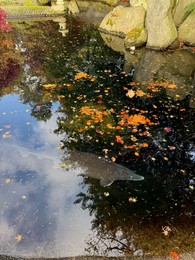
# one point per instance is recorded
(71, 98)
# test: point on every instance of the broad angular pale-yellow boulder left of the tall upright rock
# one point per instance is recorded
(124, 21)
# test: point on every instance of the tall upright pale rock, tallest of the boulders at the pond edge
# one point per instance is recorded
(159, 23)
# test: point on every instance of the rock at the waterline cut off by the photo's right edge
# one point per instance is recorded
(186, 32)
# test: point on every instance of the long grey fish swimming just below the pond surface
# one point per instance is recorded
(89, 164)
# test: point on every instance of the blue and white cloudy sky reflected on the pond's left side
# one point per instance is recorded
(36, 197)
